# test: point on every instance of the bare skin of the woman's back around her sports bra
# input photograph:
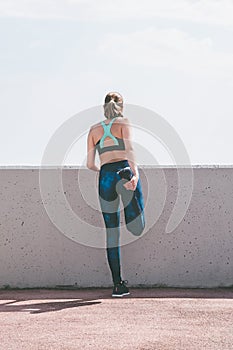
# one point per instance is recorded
(109, 156)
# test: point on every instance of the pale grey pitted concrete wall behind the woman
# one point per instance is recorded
(34, 253)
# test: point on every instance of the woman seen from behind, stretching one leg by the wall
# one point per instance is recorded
(116, 153)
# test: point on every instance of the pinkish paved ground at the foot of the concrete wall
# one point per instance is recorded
(146, 319)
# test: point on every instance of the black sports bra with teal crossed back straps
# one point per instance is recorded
(118, 142)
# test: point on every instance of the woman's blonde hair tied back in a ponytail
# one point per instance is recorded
(113, 105)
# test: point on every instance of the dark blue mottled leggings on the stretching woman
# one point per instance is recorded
(110, 186)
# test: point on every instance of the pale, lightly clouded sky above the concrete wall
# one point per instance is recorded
(61, 57)
